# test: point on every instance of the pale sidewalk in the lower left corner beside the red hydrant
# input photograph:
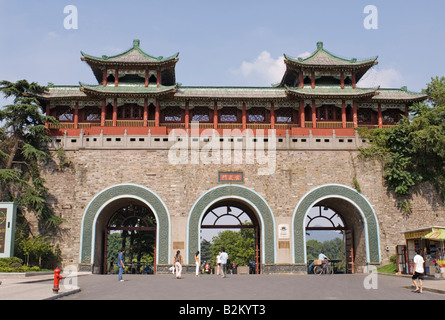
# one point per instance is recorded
(21, 286)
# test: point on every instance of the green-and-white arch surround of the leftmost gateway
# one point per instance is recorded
(89, 257)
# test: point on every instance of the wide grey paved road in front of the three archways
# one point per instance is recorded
(250, 287)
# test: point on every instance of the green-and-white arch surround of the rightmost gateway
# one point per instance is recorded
(362, 216)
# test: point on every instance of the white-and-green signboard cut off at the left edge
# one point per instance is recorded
(8, 211)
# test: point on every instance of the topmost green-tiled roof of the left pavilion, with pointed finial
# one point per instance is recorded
(135, 55)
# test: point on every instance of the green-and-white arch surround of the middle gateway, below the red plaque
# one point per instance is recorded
(240, 194)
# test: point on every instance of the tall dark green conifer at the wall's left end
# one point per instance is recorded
(23, 148)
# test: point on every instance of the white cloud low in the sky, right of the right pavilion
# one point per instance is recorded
(385, 78)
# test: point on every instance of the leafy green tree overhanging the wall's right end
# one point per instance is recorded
(413, 151)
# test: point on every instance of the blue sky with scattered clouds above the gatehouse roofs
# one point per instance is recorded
(222, 43)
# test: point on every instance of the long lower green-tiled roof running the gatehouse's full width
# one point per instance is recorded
(85, 92)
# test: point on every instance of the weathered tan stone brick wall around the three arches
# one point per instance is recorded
(180, 186)
